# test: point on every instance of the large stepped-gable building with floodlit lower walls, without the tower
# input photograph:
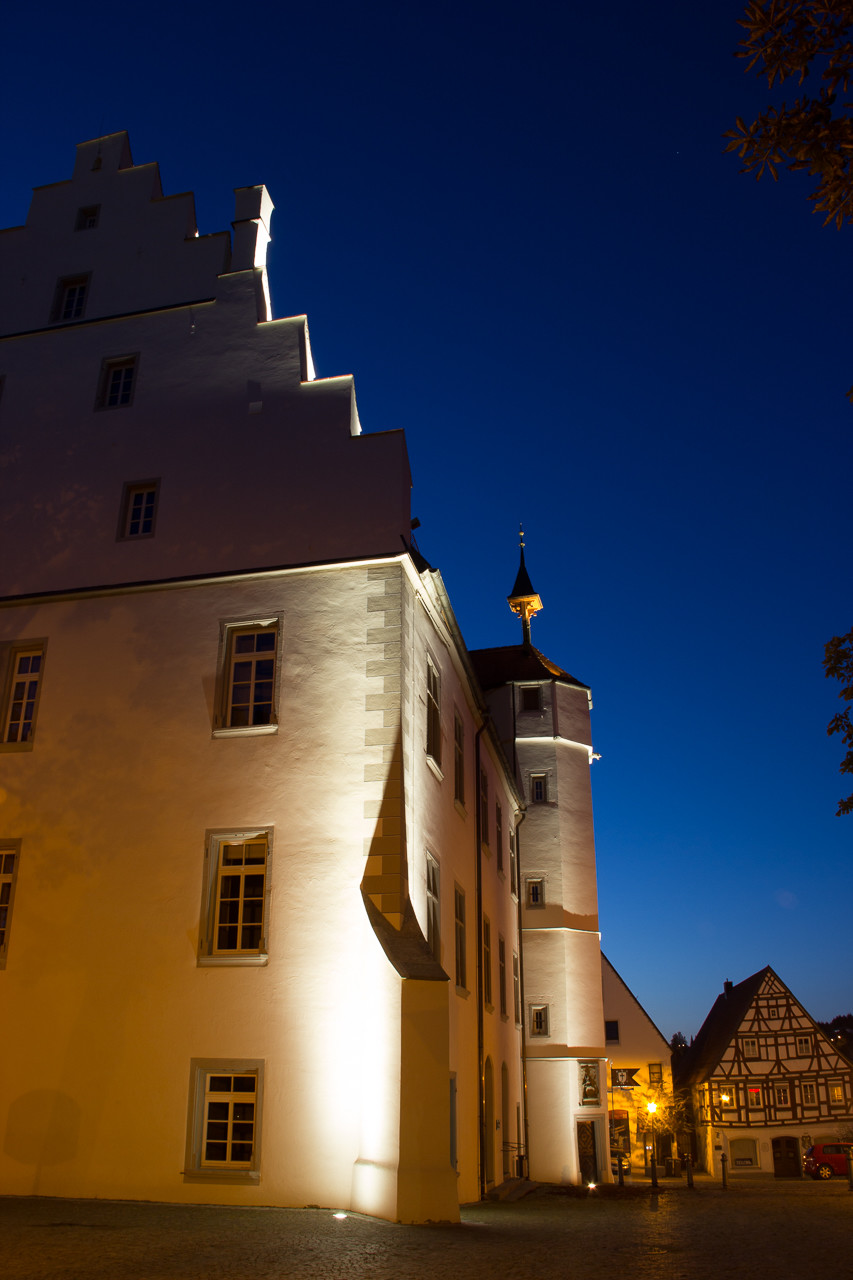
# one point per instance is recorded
(259, 941)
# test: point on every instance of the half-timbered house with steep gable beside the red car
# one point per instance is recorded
(765, 1080)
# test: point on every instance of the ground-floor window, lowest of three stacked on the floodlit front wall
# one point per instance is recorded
(223, 1135)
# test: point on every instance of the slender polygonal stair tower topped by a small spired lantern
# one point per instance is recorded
(542, 717)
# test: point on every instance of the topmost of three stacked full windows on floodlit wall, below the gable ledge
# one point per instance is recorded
(249, 678)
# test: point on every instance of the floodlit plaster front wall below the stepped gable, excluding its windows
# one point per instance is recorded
(112, 807)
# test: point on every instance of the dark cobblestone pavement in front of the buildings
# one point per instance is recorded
(760, 1228)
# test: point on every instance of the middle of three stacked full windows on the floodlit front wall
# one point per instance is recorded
(236, 898)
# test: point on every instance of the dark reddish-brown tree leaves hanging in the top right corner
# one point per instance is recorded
(792, 39)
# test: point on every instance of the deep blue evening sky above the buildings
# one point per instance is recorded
(517, 227)
